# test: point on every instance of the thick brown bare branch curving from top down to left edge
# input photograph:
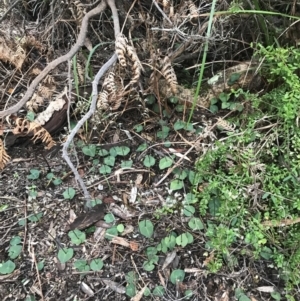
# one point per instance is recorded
(80, 41)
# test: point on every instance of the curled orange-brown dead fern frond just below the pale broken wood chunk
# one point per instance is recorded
(25, 127)
